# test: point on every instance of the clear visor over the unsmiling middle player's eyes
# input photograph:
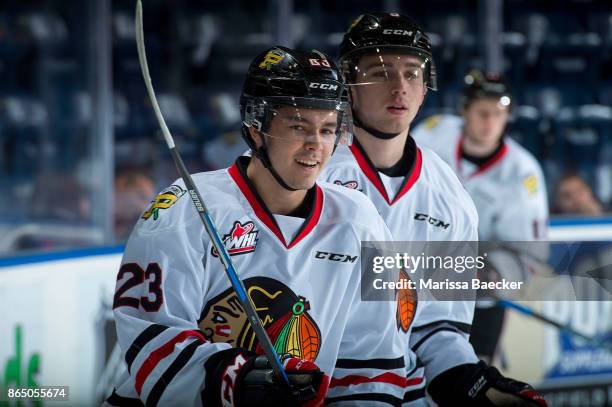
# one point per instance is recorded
(389, 69)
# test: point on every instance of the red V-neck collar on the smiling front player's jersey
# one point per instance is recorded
(238, 174)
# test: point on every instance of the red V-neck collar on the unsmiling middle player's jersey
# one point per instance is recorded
(372, 174)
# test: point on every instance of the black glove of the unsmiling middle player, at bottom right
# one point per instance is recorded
(481, 385)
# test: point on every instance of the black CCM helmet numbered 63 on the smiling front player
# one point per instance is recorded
(281, 77)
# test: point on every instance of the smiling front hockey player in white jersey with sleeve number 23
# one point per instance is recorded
(296, 246)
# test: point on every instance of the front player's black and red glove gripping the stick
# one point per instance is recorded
(237, 377)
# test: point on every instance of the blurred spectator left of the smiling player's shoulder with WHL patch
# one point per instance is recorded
(134, 190)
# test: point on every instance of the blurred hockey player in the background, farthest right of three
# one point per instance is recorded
(504, 180)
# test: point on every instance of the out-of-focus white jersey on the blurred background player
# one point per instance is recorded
(509, 190)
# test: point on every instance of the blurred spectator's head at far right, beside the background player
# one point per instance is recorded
(573, 196)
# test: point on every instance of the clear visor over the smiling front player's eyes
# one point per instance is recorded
(309, 120)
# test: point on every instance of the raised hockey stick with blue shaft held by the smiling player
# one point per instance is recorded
(197, 200)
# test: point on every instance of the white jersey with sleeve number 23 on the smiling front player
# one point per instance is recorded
(174, 306)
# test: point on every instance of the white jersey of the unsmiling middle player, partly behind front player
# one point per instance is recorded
(429, 204)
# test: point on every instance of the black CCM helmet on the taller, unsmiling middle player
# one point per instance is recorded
(382, 33)
